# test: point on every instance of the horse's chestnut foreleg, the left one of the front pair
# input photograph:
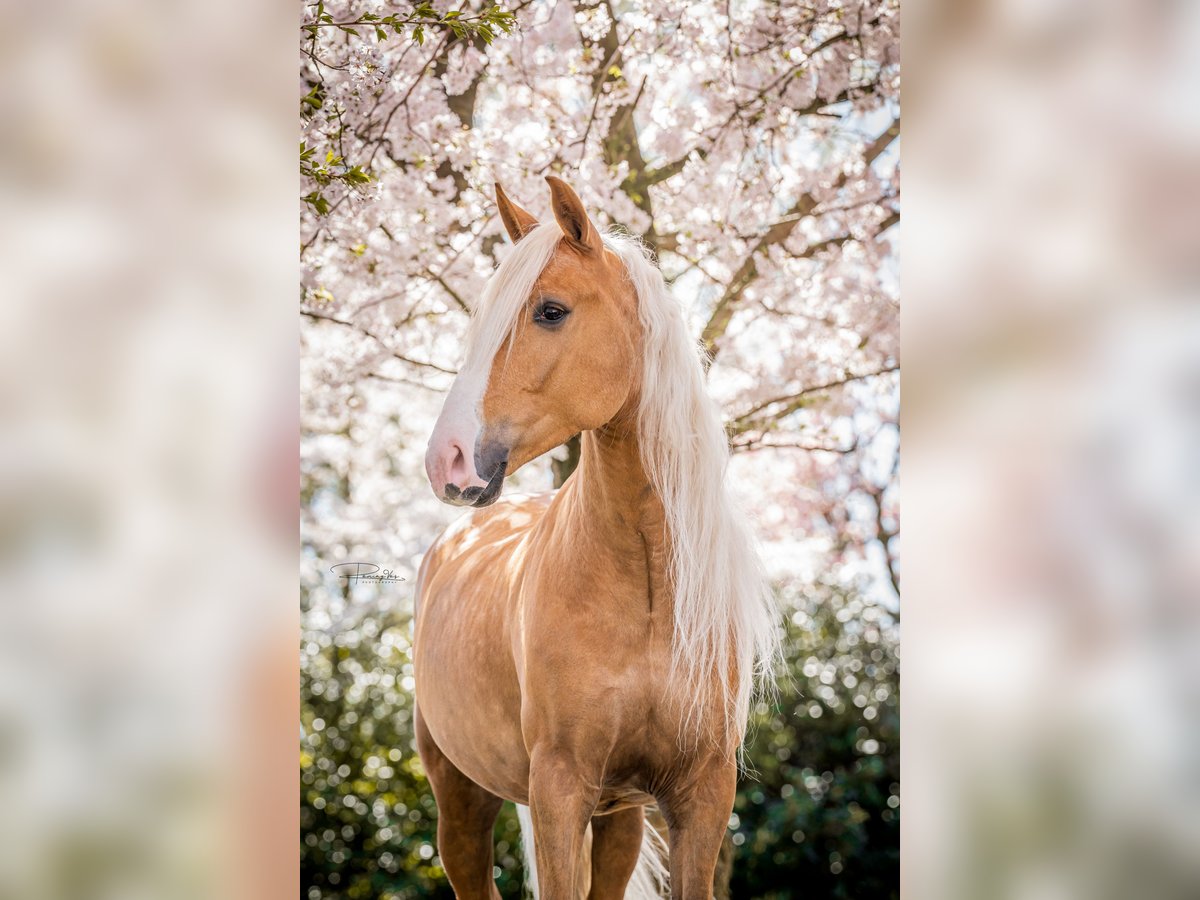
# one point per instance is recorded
(561, 802)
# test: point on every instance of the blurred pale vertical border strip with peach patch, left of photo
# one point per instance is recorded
(148, 466)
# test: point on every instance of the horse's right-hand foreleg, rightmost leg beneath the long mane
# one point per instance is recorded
(698, 819)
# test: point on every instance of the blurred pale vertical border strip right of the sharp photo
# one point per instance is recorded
(1052, 451)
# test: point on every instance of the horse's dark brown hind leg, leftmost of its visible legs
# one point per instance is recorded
(466, 818)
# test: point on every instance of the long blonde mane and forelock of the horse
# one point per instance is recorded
(724, 610)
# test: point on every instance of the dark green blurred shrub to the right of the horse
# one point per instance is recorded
(820, 807)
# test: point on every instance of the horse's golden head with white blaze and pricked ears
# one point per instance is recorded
(554, 350)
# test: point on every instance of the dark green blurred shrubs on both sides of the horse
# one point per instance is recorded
(818, 817)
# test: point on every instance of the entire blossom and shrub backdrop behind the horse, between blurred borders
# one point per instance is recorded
(755, 148)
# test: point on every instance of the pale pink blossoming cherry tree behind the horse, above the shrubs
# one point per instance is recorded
(753, 145)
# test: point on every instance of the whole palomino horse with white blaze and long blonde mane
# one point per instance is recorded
(591, 652)
